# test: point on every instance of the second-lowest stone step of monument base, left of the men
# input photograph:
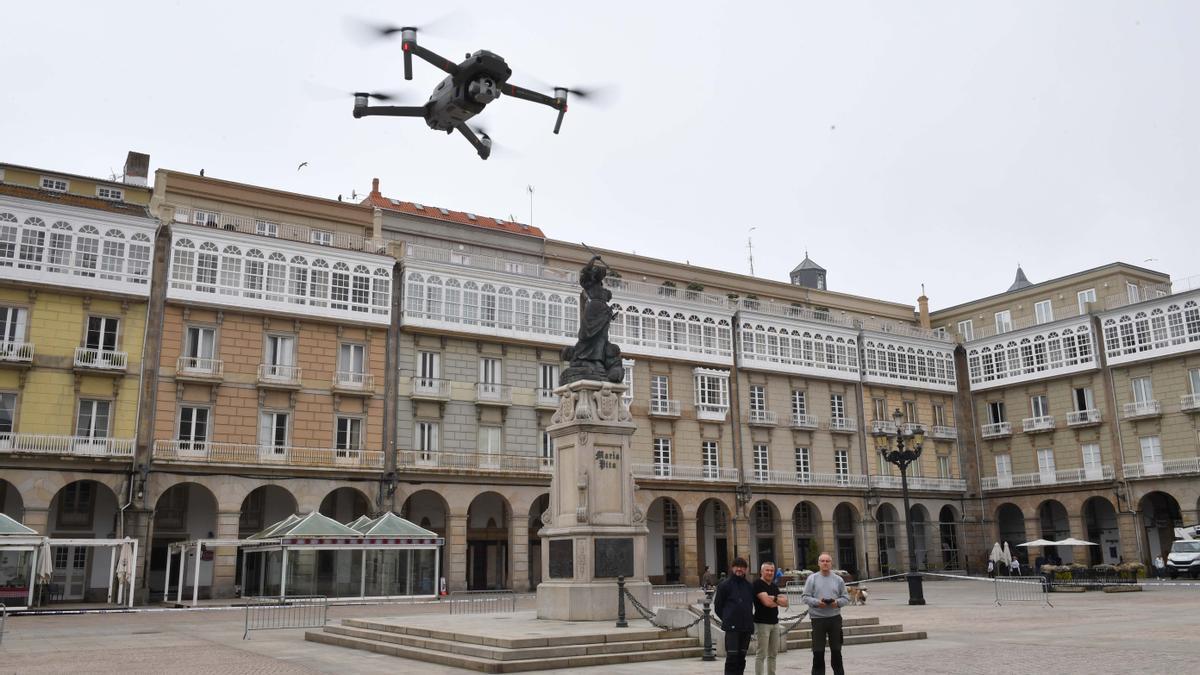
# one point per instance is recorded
(505, 654)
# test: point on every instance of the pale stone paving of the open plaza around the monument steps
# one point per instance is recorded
(1148, 632)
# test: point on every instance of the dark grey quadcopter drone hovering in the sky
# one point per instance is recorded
(469, 88)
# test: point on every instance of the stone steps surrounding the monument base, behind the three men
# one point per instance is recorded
(499, 653)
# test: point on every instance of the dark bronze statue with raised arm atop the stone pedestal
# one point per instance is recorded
(593, 357)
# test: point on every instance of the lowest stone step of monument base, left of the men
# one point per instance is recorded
(491, 666)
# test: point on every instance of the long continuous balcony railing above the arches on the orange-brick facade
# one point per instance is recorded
(283, 456)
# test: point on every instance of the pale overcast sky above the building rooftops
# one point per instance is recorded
(899, 144)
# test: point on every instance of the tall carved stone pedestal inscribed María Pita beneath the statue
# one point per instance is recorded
(593, 531)
